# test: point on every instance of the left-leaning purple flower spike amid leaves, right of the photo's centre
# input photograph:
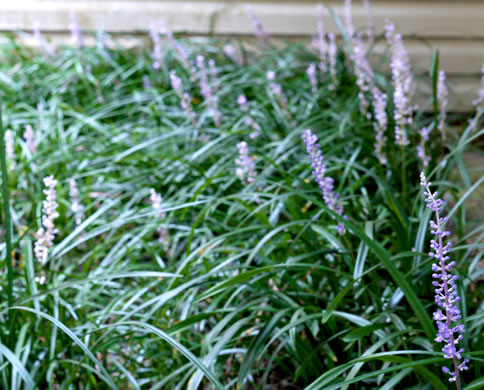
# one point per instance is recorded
(325, 182)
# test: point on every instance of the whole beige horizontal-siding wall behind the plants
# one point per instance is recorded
(456, 28)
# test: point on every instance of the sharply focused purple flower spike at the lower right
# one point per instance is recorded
(446, 290)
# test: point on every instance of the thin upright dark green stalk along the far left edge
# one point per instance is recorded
(6, 211)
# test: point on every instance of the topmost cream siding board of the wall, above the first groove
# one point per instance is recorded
(428, 19)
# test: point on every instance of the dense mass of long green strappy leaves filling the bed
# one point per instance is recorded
(254, 287)
